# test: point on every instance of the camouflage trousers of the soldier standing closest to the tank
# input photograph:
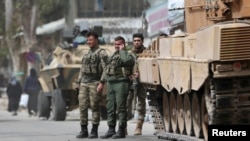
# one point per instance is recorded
(140, 104)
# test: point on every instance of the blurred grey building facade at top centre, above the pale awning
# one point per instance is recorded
(111, 8)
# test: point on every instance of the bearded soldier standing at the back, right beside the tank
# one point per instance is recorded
(137, 90)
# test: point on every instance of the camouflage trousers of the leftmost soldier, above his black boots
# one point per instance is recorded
(89, 98)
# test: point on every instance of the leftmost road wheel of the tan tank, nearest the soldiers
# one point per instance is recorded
(166, 112)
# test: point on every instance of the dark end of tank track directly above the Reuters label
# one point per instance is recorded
(230, 100)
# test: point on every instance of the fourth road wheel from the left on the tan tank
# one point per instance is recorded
(187, 114)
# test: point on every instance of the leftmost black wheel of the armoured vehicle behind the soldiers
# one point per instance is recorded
(43, 105)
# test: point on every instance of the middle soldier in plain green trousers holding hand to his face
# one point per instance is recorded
(118, 70)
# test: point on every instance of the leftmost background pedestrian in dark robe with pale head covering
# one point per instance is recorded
(14, 91)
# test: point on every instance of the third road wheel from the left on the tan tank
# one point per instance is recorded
(180, 113)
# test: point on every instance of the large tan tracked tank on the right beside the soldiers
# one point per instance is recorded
(201, 77)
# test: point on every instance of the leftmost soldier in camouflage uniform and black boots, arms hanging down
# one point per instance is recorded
(91, 84)
